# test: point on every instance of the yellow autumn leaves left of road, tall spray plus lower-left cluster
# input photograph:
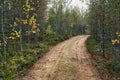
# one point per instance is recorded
(29, 20)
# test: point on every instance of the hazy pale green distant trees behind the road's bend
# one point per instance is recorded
(68, 22)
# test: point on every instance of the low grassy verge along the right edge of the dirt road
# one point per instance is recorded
(107, 67)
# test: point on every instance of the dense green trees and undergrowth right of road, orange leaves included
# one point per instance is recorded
(104, 23)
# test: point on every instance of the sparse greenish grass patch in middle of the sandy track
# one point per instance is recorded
(64, 69)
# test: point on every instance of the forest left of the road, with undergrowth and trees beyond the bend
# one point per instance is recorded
(27, 31)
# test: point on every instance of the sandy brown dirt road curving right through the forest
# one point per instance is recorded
(68, 60)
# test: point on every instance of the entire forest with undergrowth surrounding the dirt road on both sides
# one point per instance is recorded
(30, 28)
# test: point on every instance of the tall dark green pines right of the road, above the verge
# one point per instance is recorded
(104, 22)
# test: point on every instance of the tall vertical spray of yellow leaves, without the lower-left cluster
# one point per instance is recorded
(31, 20)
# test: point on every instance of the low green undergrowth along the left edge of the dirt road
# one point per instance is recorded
(20, 61)
